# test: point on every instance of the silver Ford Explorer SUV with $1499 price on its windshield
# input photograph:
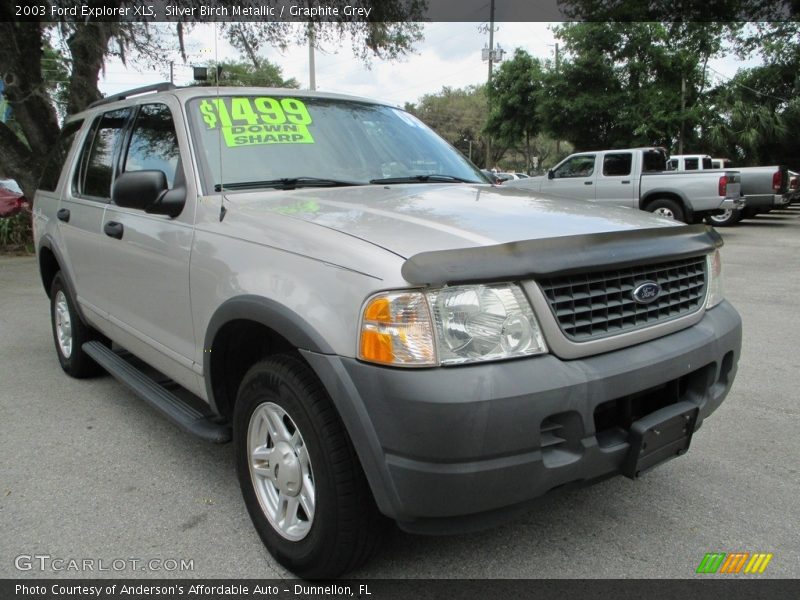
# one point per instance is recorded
(380, 331)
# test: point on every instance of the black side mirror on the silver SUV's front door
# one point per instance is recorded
(148, 191)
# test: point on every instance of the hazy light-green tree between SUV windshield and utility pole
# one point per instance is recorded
(458, 115)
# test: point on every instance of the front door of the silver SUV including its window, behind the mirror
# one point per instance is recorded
(148, 291)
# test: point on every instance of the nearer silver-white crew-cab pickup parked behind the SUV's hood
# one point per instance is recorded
(637, 178)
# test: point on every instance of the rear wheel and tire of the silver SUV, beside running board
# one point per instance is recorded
(70, 333)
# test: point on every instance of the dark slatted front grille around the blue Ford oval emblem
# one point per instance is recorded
(596, 305)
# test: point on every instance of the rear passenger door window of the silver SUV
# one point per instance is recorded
(96, 171)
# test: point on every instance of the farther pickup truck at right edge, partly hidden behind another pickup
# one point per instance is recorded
(763, 188)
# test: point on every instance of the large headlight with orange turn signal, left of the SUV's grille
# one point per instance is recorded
(451, 325)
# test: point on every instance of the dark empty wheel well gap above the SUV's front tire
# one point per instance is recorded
(237, 346)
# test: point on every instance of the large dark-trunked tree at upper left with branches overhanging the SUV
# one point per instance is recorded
(86, 46)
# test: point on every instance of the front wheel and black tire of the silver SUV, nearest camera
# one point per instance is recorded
(300, 477)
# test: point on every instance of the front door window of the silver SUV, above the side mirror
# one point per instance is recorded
(154, 145)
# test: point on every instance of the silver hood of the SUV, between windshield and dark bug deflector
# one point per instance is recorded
(413, 218)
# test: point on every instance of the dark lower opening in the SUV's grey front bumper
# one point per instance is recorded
(613, 419)
